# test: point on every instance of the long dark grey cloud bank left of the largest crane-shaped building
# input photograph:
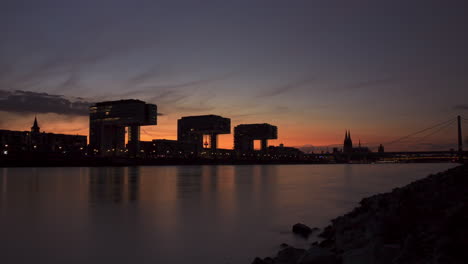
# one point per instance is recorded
(32, 102)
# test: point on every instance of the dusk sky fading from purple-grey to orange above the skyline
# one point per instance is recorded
(382, 69)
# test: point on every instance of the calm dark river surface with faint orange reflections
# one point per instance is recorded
(177, 214)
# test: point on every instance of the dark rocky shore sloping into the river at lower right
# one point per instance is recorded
(423, 222)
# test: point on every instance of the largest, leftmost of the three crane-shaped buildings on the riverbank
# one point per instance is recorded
(108, 121)
